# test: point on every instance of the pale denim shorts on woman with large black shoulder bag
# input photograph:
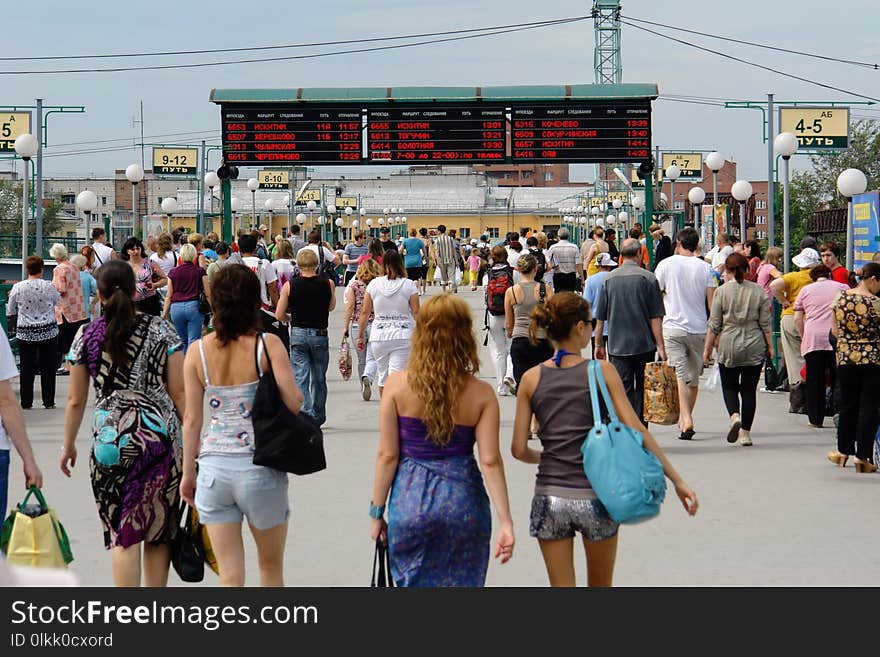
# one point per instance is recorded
(229, 488)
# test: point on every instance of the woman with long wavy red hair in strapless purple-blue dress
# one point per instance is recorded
(439, 522)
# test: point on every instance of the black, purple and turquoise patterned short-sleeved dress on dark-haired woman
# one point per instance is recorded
(135, 459)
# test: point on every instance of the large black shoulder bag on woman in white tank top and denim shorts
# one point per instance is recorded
(282, 440)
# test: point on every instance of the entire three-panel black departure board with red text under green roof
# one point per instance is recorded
(464, 132)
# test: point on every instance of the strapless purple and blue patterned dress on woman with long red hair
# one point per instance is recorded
(439, 521)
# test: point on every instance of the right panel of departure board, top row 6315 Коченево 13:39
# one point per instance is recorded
(581, 133)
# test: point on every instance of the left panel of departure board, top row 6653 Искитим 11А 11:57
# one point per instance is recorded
(278, 135)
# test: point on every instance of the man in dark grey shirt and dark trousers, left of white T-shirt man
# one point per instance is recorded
(631, 302)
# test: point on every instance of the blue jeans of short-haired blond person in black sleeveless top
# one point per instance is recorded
(310, 356)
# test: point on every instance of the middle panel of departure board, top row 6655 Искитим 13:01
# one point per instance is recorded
(436, 134)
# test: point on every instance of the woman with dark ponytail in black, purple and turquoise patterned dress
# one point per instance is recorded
(135, 362)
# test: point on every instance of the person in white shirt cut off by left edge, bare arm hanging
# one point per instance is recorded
(12, 429)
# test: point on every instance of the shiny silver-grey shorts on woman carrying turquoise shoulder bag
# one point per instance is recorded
(554, 518)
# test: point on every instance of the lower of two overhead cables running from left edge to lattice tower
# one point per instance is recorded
(461, 37)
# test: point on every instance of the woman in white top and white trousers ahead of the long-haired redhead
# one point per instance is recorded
(394, 301)
